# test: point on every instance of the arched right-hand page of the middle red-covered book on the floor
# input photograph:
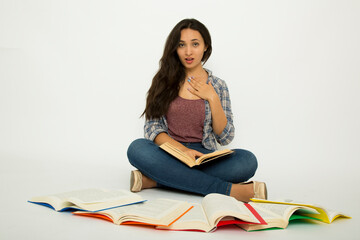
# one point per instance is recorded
(218, 206)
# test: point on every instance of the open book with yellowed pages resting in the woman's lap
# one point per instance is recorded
(182, 156)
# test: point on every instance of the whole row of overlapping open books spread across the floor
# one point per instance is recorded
(123, 207)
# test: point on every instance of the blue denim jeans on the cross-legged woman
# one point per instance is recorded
(212, 177)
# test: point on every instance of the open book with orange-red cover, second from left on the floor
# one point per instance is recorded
(159, 212)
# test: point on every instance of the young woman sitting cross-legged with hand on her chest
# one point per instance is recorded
(190, 108)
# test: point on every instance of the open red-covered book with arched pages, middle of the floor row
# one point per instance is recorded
(215, 210)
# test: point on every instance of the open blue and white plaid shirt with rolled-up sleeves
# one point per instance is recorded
(153, 127)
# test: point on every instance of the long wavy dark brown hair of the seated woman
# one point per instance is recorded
(167, 81)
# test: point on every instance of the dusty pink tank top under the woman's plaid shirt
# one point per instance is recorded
(185, 119)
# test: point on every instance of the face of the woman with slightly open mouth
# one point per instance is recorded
(191, 48)
